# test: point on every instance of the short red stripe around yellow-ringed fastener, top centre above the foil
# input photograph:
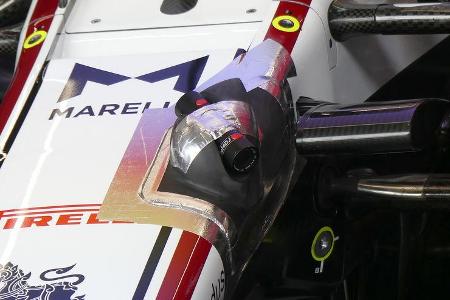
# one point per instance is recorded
(297, 10)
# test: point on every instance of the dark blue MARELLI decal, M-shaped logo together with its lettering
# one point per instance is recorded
(188, 74)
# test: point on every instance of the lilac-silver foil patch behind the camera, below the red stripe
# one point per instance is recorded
(265, 66)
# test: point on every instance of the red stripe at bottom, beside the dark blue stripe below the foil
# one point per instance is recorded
(185, 268)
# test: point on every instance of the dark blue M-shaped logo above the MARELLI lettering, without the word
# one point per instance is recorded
(188, 76)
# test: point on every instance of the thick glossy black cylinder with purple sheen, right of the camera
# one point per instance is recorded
(378, 127)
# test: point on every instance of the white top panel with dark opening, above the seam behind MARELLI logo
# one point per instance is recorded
(111, 15)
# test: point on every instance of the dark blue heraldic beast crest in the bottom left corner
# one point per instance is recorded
(56, 284)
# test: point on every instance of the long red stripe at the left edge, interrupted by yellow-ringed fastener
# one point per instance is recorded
(41, 20)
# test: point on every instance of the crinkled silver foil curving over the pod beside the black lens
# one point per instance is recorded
(205, 125)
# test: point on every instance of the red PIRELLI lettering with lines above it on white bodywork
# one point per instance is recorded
(51, 216)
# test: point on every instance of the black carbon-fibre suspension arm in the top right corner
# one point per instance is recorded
(348, 19)
